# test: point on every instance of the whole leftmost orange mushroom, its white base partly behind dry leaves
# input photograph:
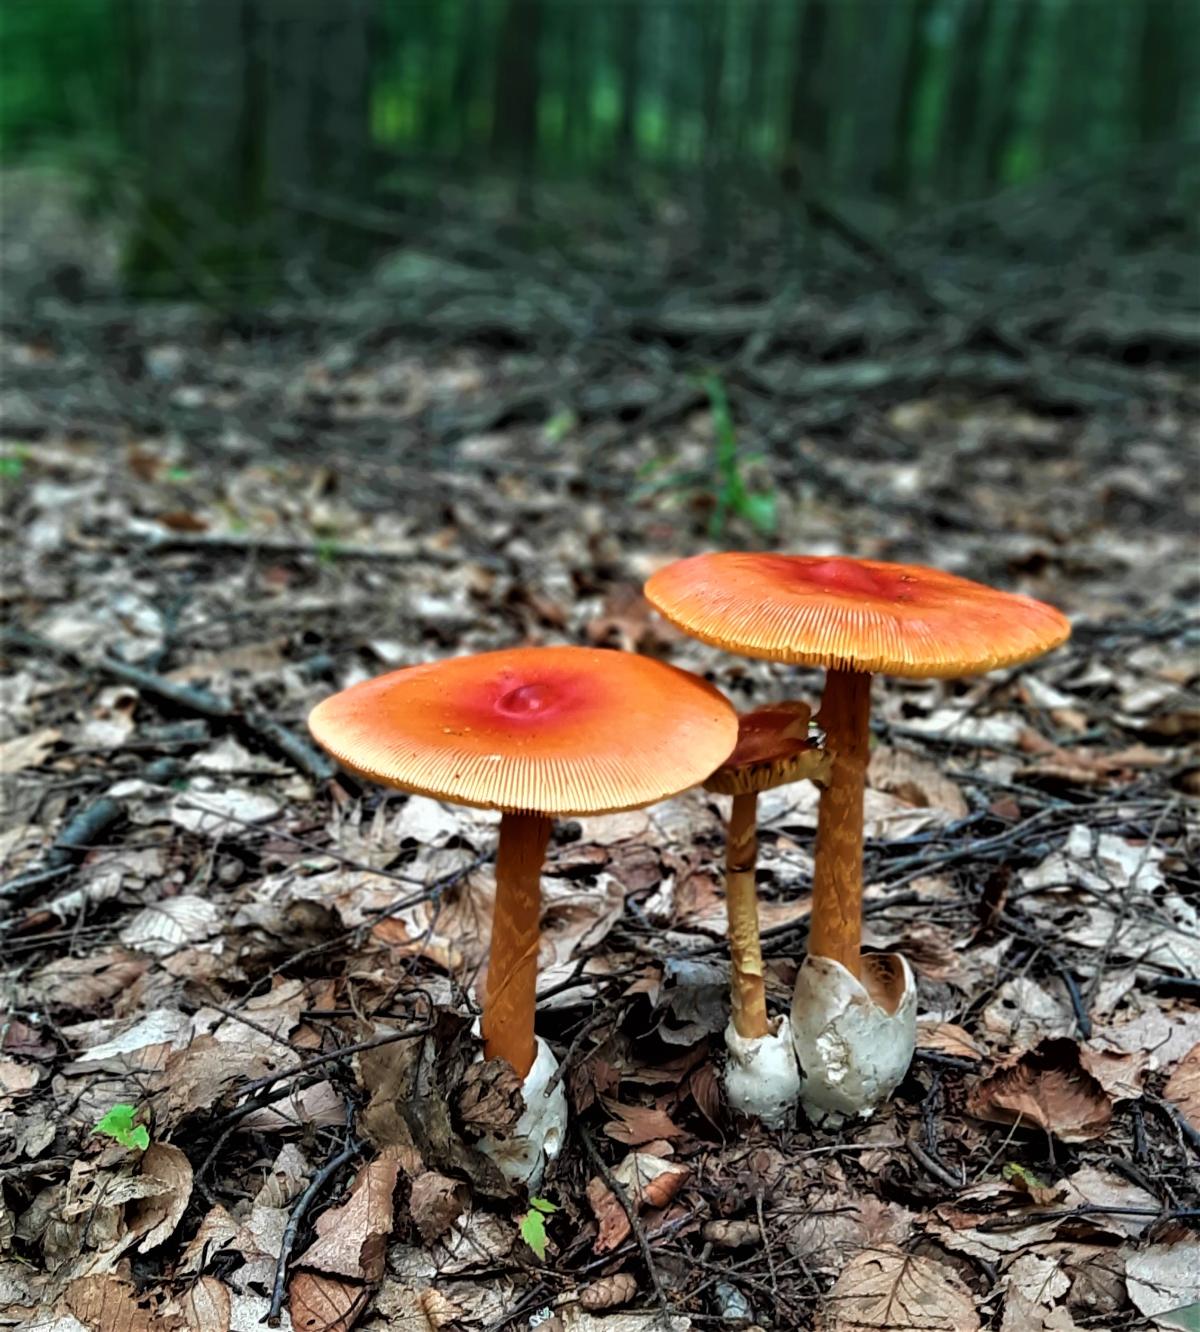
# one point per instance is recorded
(536, 733)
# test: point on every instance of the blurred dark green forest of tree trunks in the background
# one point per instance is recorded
(250, 146)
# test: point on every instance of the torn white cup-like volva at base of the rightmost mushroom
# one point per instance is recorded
(852, 1049)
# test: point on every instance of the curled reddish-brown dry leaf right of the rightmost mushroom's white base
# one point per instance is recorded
(1048, 1088)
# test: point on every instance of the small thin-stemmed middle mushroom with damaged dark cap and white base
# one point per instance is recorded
(773, 749)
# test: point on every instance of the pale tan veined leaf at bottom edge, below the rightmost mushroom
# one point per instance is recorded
(886, 1290)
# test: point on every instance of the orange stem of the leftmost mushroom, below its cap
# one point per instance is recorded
(513, 968)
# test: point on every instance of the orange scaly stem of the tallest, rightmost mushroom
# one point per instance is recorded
(837, 928)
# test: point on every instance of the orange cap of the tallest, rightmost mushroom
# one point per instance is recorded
(857, 615)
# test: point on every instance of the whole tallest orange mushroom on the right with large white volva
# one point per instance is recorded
(854, 1017)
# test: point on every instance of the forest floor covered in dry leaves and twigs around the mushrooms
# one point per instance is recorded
(208, 532)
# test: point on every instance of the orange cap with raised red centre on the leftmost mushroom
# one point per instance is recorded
(540, 731)
